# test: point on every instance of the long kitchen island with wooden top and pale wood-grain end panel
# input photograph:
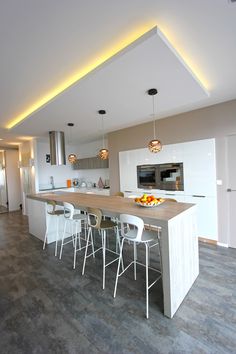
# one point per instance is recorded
(179, 242)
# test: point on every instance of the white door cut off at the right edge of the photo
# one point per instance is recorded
(231, 163)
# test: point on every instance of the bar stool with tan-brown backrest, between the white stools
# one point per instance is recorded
(96, 222)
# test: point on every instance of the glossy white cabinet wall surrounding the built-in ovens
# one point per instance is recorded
(199, 167)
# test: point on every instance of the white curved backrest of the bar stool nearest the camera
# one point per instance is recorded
(135, 233)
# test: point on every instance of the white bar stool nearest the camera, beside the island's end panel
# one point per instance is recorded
(137, 234)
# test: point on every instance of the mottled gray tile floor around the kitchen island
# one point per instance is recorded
(46, 307)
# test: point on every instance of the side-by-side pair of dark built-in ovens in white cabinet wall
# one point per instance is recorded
(167, 176)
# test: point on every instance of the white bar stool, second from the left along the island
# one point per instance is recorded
(75, 219)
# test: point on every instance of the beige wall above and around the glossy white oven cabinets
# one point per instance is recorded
(216, 121)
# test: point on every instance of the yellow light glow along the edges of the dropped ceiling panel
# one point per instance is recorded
(125, 42)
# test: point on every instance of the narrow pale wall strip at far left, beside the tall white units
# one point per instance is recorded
(13, 180)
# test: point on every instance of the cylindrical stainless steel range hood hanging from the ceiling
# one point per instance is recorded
(57, 148)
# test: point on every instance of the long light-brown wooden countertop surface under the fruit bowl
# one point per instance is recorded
(113, 204)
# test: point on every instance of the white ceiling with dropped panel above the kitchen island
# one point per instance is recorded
(45, 42)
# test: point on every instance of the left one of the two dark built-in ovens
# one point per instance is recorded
(146, 176)
